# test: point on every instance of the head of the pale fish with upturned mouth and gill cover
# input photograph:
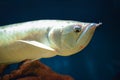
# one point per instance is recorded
(74, 37)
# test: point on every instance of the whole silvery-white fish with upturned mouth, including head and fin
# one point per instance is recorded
(43, 39)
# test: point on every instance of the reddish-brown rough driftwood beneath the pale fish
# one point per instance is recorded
(33, 71)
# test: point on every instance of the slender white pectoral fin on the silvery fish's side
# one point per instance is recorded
(37, 44)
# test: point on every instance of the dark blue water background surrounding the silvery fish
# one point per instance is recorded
(100, 60)
